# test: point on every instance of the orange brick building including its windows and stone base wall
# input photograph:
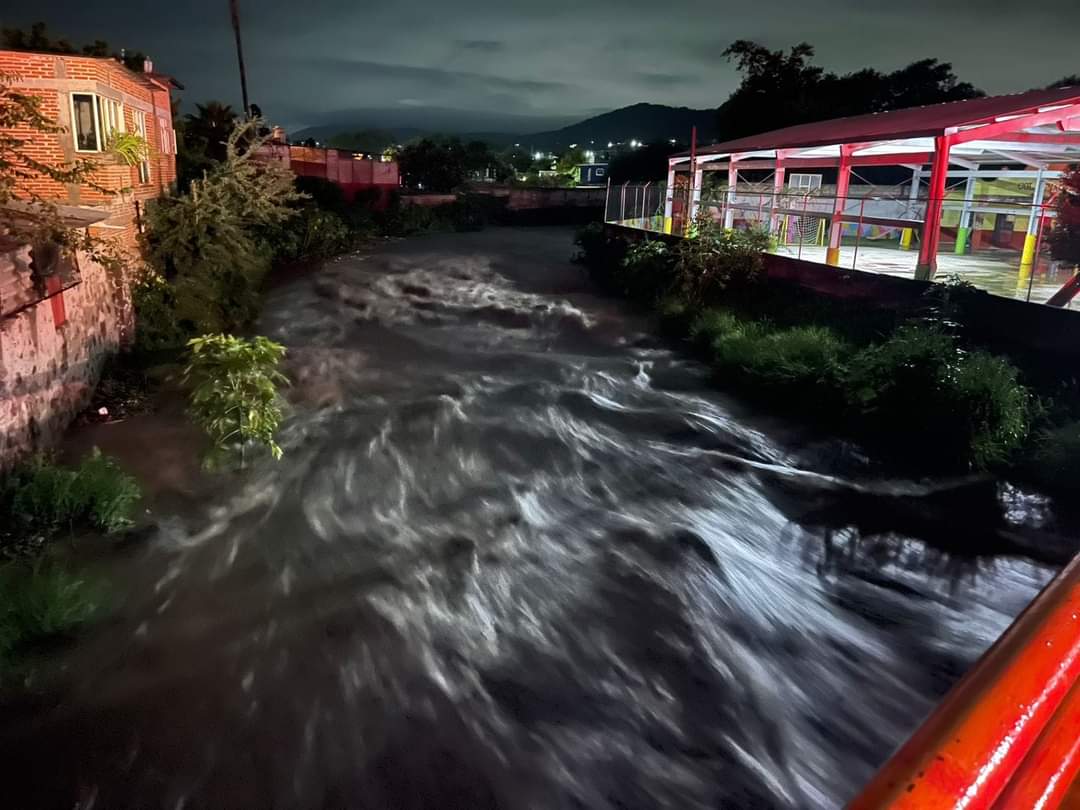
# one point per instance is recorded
(62, 316)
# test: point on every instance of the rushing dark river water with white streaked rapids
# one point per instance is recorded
(519, 555)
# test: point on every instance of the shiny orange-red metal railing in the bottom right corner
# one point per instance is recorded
(1008, 736)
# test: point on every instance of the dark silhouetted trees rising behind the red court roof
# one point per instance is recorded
(781, 89)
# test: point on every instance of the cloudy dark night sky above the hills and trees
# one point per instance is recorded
(522, 66)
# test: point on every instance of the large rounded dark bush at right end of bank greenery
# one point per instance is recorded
(922, 393)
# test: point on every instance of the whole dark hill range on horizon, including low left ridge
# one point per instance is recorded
(645, 123)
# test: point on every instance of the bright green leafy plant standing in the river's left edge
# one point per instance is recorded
(235, 396)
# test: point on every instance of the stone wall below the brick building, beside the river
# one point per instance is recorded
(51, 356)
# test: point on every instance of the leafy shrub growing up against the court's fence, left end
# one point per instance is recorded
(714, 259)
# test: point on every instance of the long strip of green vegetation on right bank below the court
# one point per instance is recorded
(907, 386)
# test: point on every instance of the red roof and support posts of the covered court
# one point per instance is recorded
(1036, 130)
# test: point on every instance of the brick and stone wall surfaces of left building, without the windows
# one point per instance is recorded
(49, 370)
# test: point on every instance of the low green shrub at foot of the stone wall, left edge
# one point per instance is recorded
(42, 496)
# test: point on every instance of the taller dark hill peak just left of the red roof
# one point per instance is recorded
(645, 123)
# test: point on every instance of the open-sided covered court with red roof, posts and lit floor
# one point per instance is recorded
(961, 155)
